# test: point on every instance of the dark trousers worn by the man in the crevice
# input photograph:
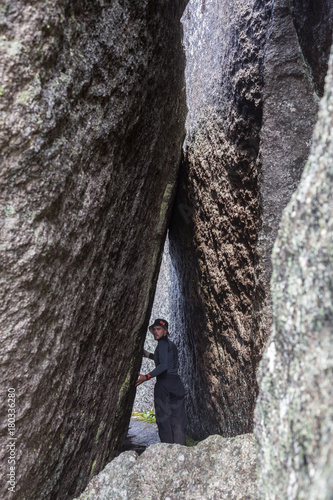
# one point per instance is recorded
(169, 397)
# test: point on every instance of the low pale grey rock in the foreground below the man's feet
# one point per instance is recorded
(216, 468)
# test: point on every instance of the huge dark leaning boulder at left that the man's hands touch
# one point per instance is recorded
(92, 110)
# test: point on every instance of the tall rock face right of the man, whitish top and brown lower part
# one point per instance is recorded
(214, 230)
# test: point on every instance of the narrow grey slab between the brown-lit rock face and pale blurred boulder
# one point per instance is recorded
(289, 113)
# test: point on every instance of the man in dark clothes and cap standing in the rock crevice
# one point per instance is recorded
(169, 392)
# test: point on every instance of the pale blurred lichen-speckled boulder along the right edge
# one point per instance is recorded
(295, 408)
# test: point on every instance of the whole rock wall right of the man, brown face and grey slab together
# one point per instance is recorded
(252, 99)
